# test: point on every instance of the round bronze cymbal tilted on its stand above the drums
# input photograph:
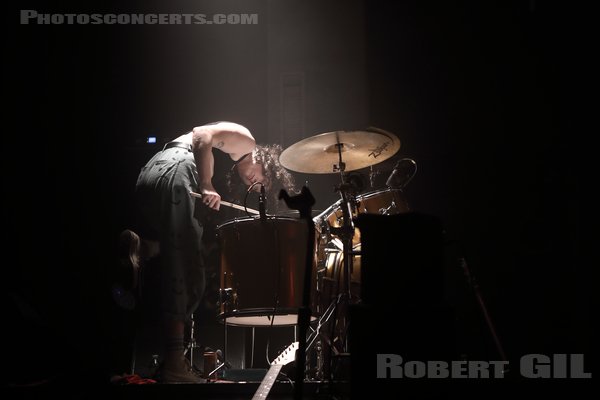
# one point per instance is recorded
(359, 149)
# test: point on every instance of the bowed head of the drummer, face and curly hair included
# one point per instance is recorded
(262, 165)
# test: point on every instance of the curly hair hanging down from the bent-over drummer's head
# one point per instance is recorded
(278, 177)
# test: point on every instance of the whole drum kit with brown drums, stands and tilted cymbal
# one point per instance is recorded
(275, 246)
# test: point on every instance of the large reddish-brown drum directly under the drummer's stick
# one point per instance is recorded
(263, 262)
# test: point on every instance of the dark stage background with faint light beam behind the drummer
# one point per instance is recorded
(486, 97)
